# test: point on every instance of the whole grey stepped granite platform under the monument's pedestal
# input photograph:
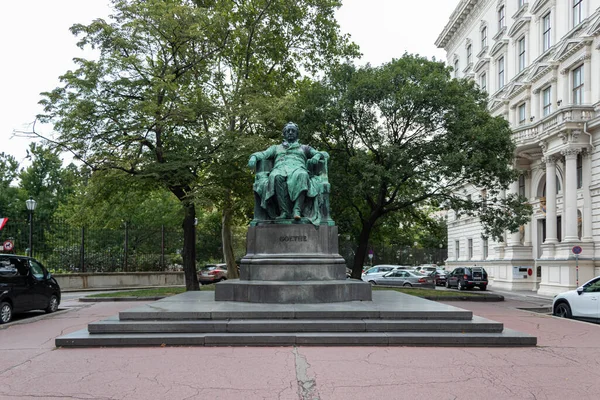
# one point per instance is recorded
(390, 319)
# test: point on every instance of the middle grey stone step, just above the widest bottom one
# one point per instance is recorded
(114, 325)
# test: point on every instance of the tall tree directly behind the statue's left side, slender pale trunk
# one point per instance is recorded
(272, 42)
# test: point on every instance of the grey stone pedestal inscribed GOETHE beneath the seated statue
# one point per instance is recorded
(292, 263)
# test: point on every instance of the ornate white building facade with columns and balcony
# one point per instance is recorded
(540, 63)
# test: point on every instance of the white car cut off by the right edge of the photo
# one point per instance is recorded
(582, 303)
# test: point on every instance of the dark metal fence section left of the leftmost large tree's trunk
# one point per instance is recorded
(64, 248)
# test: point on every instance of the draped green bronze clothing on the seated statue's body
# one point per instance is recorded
(290, 162)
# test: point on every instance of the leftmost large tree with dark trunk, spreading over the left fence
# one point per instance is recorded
(142, 107)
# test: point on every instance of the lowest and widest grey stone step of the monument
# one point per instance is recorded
(507, 338)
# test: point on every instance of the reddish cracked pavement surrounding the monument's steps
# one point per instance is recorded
(563, 366)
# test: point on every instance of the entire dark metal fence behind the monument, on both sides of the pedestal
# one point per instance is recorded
(64, 248)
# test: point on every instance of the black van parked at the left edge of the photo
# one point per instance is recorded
(25, 285)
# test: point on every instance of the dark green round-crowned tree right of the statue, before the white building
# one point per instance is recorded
(405, 137)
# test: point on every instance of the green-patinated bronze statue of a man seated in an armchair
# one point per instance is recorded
(291, 183)
